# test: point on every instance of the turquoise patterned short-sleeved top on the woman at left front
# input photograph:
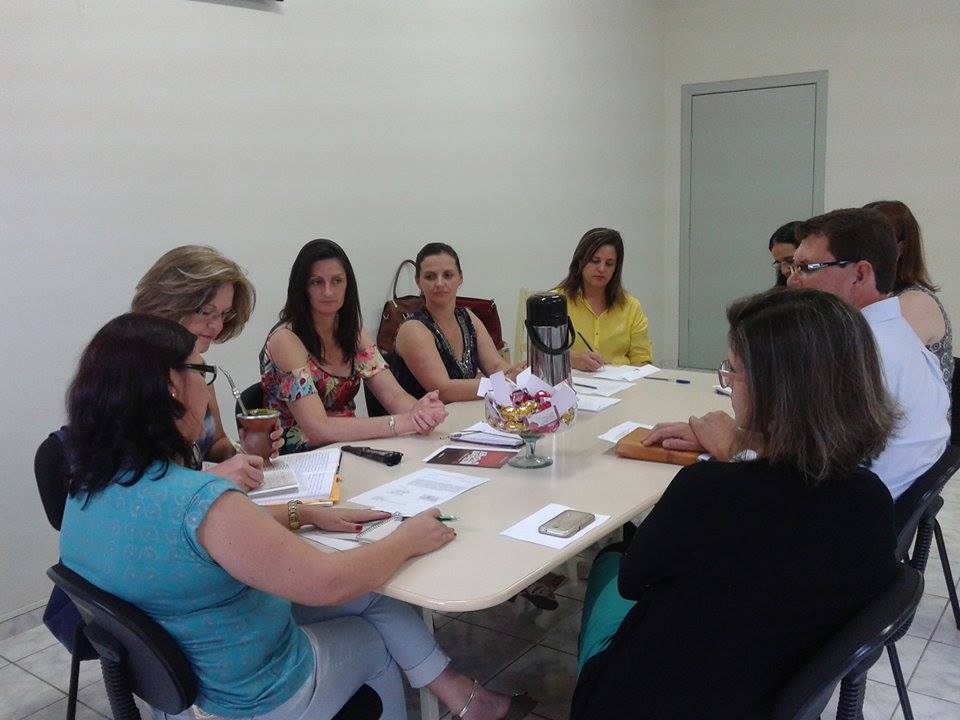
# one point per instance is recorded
(248, 654)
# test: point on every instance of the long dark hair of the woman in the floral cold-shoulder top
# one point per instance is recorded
(296, 311)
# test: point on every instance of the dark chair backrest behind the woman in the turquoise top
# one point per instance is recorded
(157, 669)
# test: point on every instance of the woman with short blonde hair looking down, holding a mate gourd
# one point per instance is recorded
(210, 295)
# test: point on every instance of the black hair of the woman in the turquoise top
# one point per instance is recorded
(122, 414)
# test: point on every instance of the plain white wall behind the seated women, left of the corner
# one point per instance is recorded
(130, 126)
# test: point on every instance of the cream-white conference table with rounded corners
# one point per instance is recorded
(482, 568)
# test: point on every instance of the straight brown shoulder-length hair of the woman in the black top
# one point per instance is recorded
(817, 399)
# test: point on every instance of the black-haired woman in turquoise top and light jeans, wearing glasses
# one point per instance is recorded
(220, 574)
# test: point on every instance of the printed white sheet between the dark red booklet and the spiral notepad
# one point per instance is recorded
(418, 491)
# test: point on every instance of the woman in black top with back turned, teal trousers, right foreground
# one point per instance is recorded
(744, 568)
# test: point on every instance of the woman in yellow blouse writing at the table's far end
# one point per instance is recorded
(611, 327)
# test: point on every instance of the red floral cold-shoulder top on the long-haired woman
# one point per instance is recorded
(280, 388)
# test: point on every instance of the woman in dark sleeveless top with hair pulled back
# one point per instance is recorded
(444, 347)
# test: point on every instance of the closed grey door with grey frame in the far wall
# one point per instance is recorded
(753, 160)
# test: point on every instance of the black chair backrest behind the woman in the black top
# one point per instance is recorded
(851, 650)
